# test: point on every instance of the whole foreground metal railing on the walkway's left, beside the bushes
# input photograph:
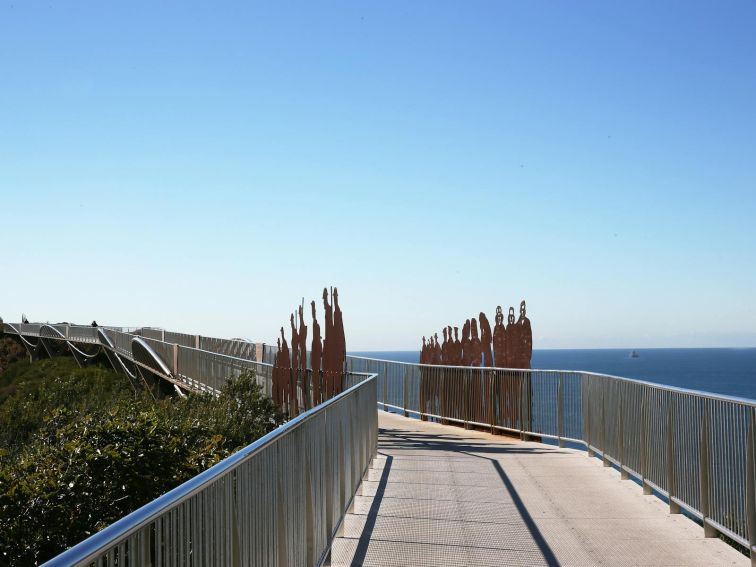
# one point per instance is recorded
(279, 501)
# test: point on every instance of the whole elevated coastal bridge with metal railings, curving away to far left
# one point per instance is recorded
(431, 465)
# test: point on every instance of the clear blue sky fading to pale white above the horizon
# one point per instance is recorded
(202, 166)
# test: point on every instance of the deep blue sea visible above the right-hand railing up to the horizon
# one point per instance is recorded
(730, 371)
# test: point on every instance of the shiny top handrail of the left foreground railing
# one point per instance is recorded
(89, 549)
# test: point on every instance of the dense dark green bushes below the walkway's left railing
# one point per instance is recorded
(79, 449)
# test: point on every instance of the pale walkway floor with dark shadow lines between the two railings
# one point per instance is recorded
(441, 495)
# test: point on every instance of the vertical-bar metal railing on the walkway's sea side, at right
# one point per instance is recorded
(695, 449)
